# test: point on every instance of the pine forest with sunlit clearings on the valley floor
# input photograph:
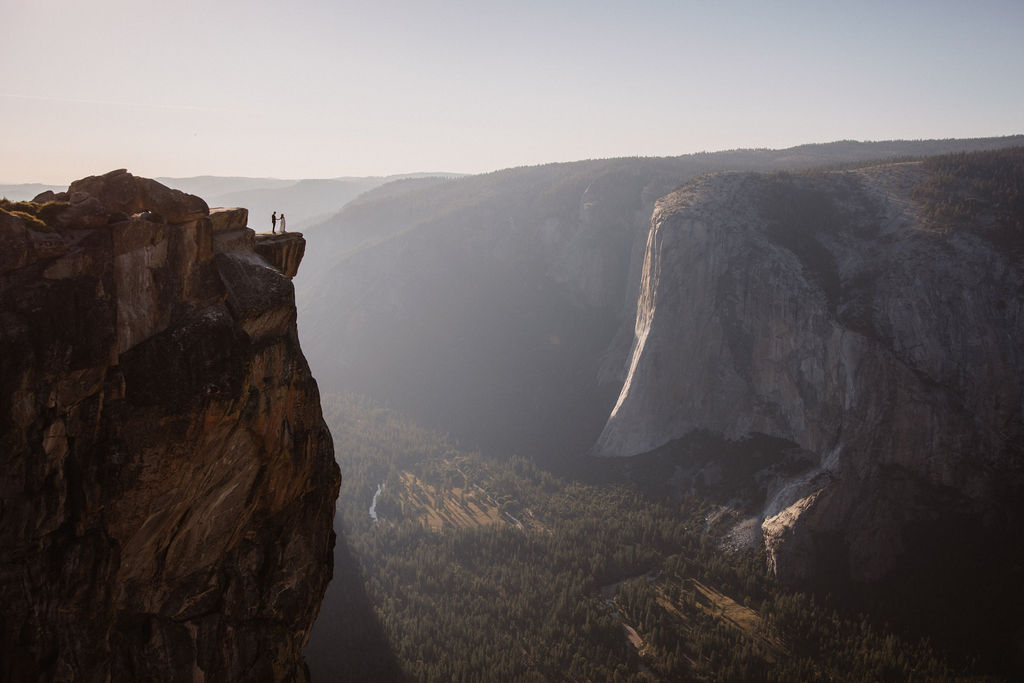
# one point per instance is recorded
(487, 570)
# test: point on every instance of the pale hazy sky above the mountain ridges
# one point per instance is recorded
(305, 89)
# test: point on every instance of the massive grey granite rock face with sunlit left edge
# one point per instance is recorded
(825, 311)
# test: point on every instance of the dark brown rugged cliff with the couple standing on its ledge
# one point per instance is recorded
(168, 493)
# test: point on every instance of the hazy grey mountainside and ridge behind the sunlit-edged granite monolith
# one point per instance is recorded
(499, 309)
